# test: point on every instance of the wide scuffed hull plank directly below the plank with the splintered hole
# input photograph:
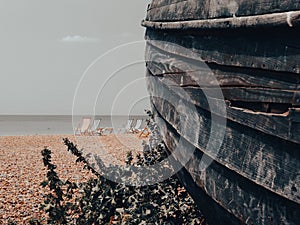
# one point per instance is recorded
(267, 161)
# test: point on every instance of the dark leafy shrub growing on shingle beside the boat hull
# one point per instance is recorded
(102, 201)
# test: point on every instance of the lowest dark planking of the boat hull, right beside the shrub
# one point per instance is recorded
(221, 192)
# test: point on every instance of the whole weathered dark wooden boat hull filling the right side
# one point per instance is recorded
(254, 176)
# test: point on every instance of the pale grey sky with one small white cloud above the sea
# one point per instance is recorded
(46, 46)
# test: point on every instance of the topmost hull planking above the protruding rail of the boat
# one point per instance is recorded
(173, 10)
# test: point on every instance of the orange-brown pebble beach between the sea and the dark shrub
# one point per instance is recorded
(22, 170)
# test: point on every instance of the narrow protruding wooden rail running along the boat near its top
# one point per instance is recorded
(291, 18)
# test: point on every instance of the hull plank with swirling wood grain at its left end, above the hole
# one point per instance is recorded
(190, 72)
